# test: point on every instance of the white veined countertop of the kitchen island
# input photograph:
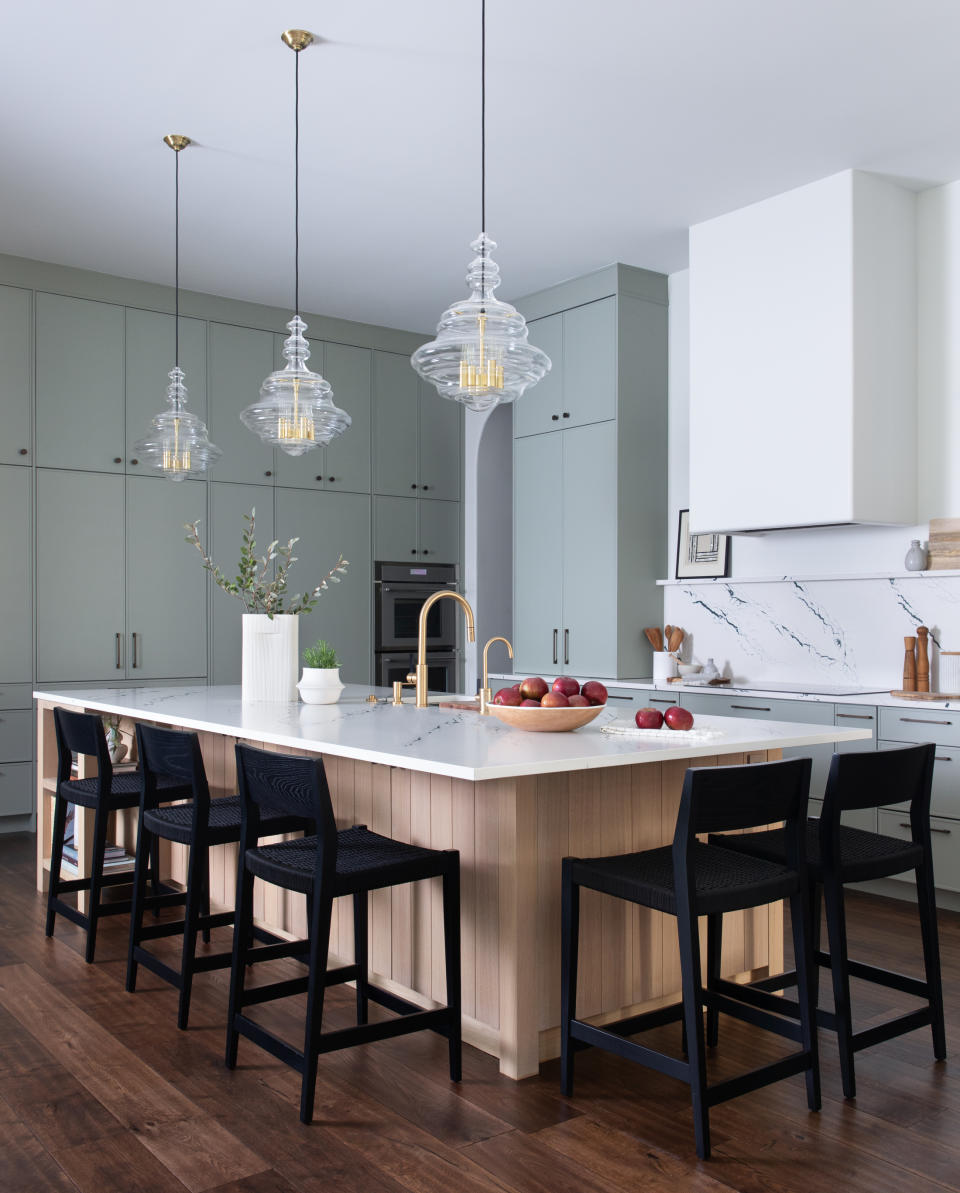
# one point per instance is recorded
(438, 741)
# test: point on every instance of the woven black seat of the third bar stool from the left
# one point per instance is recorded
(366, 861)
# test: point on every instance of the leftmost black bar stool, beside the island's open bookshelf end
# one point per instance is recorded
(83, 733)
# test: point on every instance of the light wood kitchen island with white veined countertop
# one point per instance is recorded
(513, 803)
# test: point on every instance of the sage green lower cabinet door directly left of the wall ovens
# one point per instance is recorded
(330, 526)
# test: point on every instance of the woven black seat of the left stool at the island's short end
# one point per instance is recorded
(724, 880)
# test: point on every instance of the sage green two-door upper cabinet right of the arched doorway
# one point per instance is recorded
(581, 387)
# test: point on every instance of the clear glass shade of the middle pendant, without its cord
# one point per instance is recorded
(296, 411)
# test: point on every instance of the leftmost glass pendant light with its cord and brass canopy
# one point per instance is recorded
(177, 443)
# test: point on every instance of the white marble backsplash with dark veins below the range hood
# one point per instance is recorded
(827, 632)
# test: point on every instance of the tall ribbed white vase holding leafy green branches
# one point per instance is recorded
(271, 623)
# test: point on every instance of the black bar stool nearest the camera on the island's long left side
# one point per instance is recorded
(323, 868)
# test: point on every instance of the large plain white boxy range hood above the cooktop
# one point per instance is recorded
(803, 360)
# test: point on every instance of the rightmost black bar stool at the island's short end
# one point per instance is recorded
(840, 855)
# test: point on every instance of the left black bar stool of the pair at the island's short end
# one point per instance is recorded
(690, 880)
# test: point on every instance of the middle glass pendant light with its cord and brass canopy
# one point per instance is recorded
(296, 411)
